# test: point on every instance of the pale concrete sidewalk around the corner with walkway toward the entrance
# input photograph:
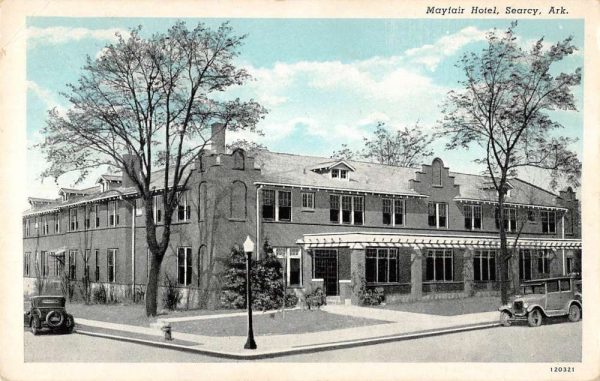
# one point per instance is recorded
(402, 326)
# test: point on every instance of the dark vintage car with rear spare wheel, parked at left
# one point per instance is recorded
(48, 312)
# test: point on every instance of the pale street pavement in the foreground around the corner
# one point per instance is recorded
(559, 342)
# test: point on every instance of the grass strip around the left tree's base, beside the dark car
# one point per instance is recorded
(134, 314)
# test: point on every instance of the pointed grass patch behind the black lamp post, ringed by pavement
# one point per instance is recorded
(296, 321)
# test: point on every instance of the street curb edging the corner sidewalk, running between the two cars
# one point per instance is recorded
(295, 350)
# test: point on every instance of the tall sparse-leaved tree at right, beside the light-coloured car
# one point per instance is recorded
(503, 108)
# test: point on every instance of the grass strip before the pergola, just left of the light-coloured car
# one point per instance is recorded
(449, 307)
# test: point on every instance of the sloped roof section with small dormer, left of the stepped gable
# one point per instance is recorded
(289, 169)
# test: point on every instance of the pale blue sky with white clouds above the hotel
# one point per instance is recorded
(325, 82)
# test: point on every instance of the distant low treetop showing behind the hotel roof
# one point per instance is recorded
(407, 147)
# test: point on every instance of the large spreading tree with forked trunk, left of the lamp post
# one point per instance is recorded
(146, 103)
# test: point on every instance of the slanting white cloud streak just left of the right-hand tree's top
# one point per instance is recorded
(432, 54)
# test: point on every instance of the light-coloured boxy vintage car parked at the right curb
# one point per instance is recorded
(544, 298)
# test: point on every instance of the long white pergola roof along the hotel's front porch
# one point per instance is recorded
(417, 241)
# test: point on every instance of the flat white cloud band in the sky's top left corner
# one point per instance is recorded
(61, 35)
